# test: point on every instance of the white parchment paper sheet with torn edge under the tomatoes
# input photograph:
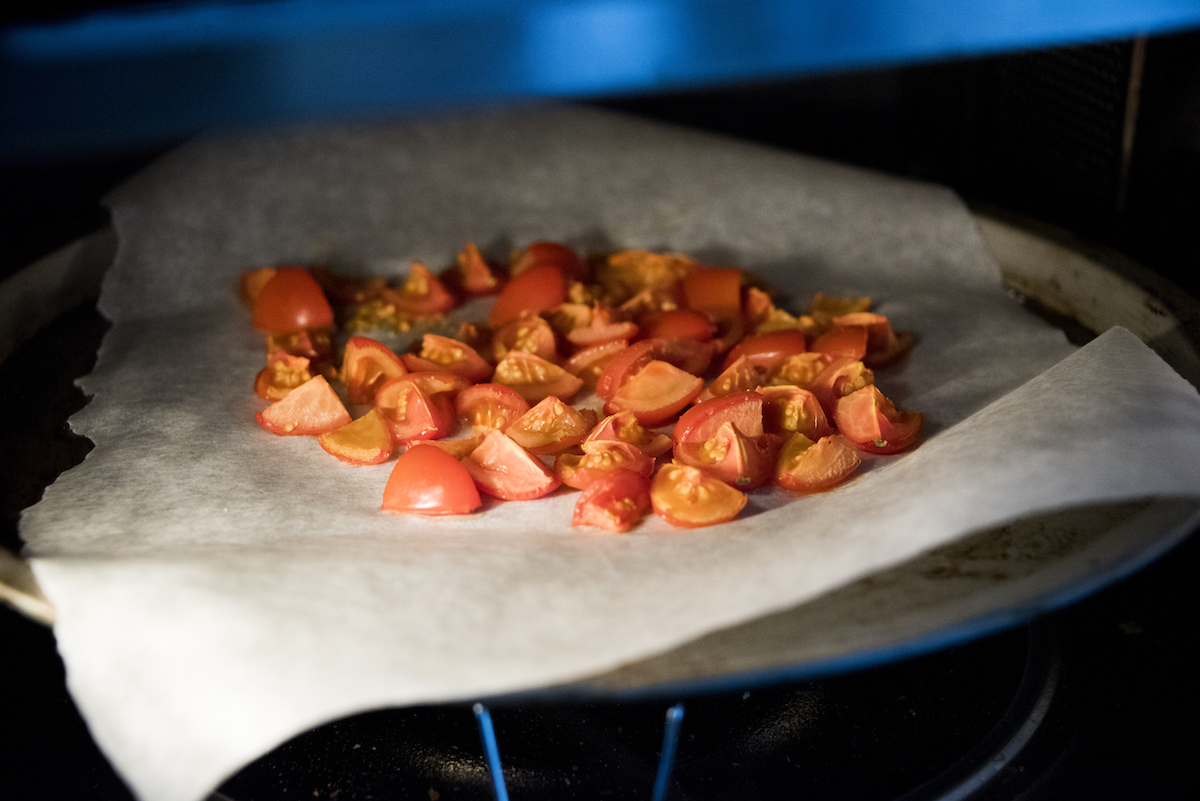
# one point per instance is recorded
(221, 589)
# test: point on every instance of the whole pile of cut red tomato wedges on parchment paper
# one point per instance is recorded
(757, 396)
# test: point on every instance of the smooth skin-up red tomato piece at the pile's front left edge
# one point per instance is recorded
(430, 481)
